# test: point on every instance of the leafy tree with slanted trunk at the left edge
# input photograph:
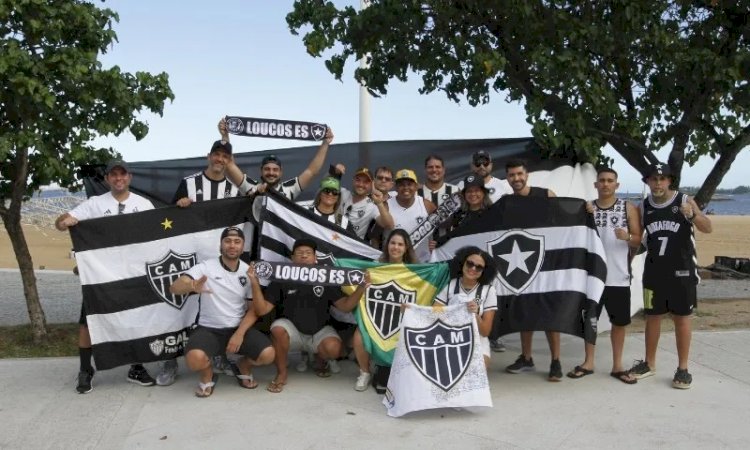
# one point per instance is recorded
(54, 99)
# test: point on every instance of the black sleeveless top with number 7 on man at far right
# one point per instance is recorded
(670, 242)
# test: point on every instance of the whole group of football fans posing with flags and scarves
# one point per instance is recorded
(382, 207)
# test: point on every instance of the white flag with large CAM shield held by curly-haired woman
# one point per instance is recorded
(438, 362)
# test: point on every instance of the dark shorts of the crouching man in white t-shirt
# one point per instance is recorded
(213, 341)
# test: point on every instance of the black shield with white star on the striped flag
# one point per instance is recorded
(518, 257)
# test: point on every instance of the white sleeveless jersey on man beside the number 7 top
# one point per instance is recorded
(618, 262)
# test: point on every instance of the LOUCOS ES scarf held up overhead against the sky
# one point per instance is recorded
(274, 128)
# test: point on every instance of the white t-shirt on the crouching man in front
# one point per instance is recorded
(226, 303)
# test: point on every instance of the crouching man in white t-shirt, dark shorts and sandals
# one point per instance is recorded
(225, 320)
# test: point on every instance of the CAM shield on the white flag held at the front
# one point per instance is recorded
(441, 352)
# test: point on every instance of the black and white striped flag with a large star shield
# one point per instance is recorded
(551, 266)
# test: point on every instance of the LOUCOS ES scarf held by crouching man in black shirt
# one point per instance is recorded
(316, 275)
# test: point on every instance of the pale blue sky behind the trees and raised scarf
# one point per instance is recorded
(239, 58)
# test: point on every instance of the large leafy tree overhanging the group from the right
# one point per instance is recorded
(640, 75)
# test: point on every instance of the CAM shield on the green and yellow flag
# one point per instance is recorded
(384, 306)
